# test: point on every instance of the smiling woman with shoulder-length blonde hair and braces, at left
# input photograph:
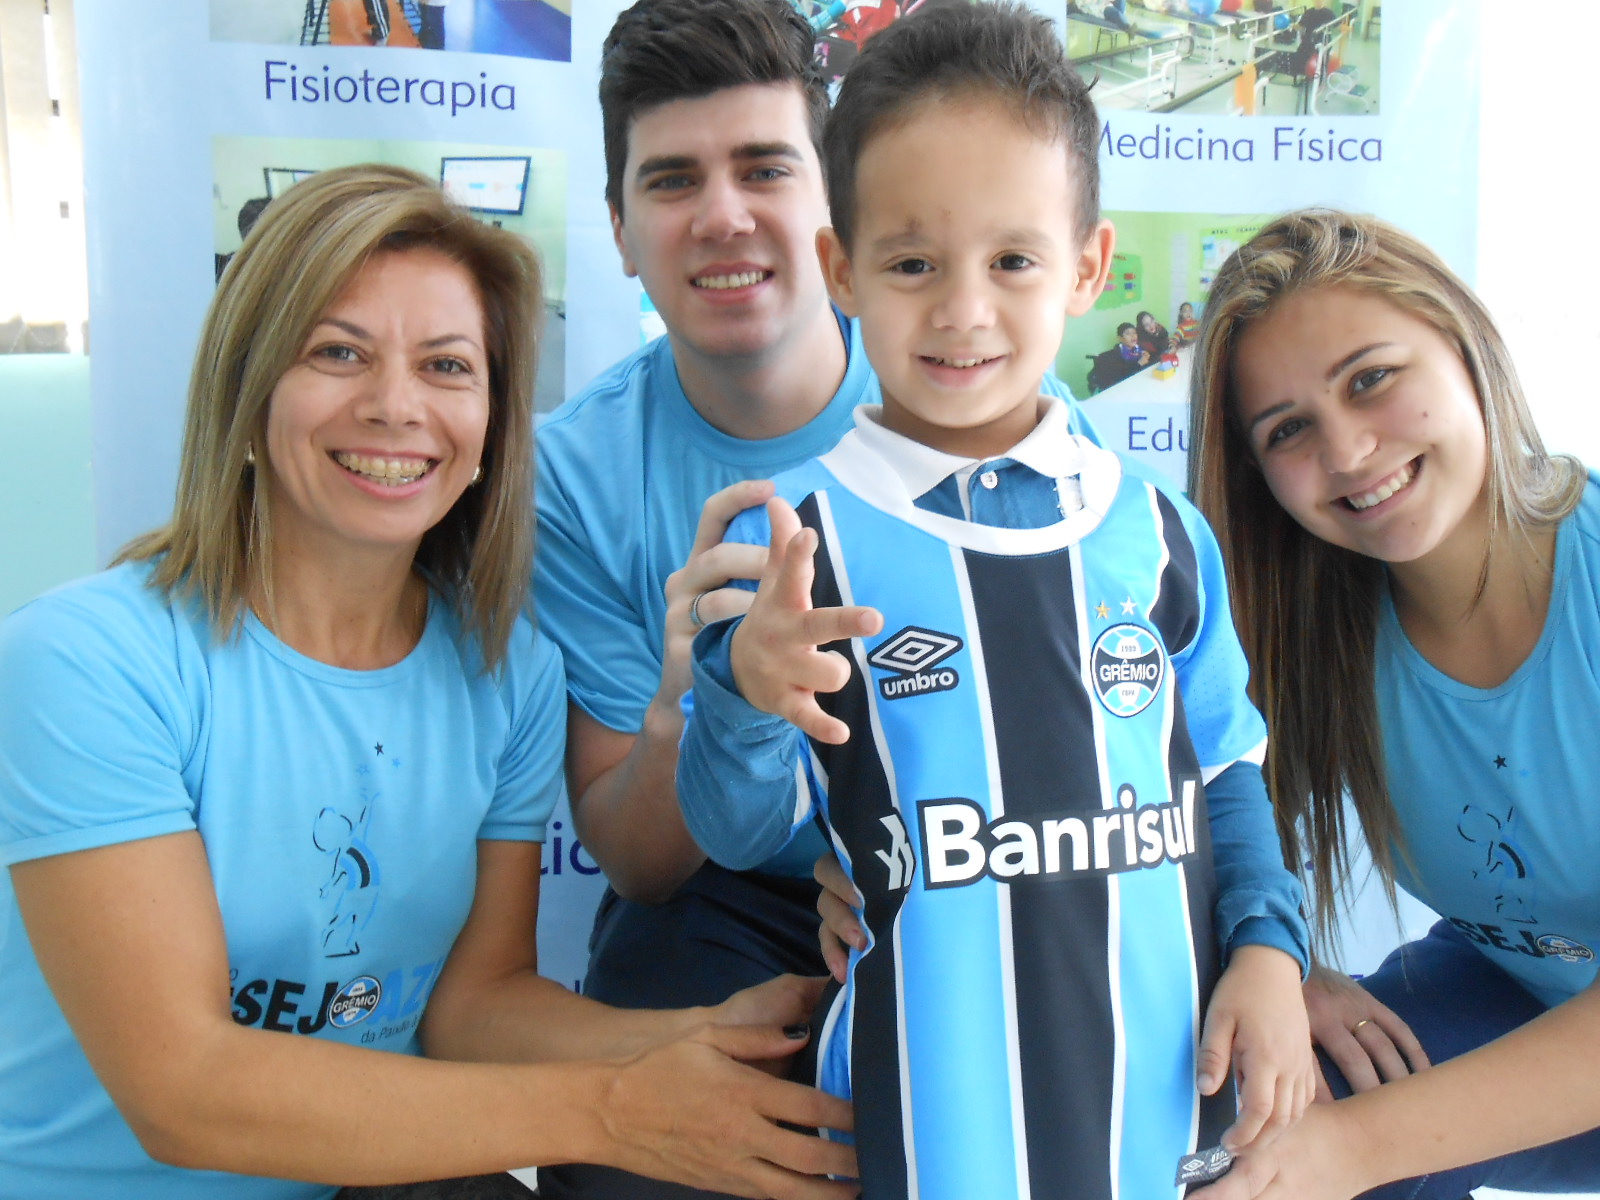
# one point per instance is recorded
(273, 788)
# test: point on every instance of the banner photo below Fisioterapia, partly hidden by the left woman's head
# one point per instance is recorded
(522, 190)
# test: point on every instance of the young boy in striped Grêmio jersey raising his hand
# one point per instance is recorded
(1001, 666)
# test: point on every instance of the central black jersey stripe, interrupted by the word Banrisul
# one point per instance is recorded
(1044, 730)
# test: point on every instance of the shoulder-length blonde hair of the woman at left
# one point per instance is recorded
(302, 255)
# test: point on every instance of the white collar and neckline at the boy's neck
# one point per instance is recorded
(887, 471)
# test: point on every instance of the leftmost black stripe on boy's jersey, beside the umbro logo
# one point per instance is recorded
(858, 825)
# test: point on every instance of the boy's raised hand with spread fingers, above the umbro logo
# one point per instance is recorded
(775, 652)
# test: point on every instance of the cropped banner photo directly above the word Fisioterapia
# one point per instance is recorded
(542, 30)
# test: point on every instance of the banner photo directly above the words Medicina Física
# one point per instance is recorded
(1231, 57)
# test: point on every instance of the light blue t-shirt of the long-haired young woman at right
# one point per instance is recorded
(1495, 788)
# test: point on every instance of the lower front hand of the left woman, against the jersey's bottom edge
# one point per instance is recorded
(690, 1113)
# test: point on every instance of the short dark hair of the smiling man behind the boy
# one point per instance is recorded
(666, 50)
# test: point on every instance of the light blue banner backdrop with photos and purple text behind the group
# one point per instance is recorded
(1217, 116)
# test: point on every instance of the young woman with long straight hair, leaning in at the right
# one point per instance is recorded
(1417, 585)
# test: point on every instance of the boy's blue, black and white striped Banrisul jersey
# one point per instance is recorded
(1022, 807)
